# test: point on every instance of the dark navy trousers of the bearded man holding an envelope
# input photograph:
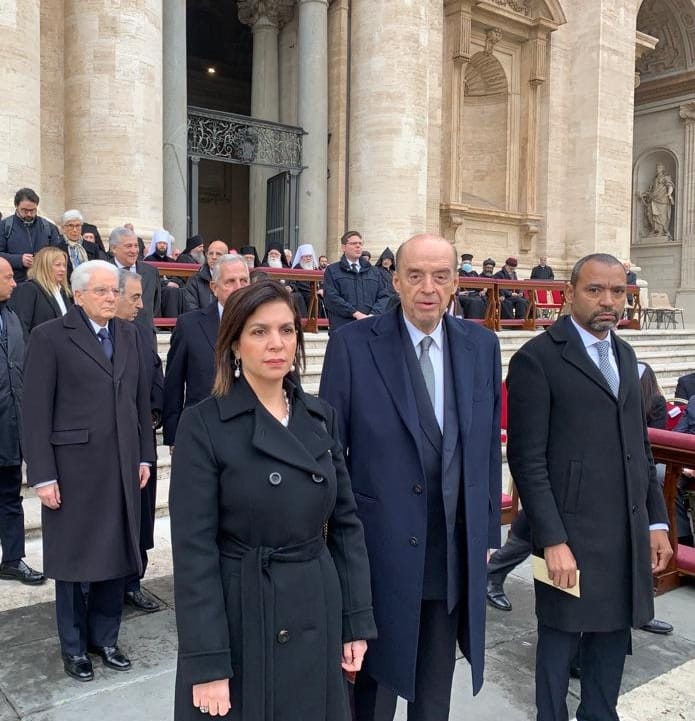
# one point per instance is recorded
(603, 659)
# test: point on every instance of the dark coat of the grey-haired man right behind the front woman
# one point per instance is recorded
(190, 369)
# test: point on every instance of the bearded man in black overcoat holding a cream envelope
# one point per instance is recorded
(579, 454)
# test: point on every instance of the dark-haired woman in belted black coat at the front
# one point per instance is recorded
(268, 605)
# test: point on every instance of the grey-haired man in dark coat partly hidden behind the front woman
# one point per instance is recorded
(190, 369)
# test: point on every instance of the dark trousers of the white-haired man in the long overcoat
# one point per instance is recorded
(91, 619)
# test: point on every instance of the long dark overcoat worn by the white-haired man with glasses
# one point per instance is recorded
(87, 425)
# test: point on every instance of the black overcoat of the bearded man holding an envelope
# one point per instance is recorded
(583, 465)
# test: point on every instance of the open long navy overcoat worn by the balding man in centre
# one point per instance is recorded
(365, 377)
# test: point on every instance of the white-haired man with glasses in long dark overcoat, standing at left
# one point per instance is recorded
(88, 446)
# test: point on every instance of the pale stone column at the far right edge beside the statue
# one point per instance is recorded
(685, 297)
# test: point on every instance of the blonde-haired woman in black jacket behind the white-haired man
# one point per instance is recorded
(46, 294)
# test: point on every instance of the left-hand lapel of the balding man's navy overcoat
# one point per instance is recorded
(391, 366)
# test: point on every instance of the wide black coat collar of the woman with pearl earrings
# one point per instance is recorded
(301, 444)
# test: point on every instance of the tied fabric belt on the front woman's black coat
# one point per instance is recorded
(257, 614)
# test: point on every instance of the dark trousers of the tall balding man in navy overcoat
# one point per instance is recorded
(434, 672)
